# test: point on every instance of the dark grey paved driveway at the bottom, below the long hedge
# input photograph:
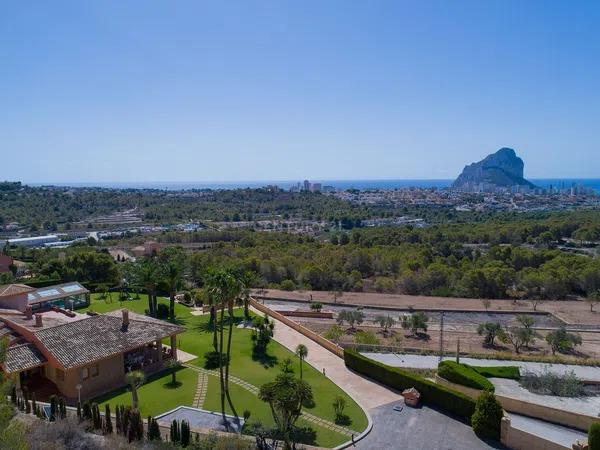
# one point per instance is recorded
(419, 429)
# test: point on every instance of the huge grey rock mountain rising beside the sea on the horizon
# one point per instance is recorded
(501, 169)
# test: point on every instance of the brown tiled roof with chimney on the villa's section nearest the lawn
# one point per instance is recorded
(84, 341)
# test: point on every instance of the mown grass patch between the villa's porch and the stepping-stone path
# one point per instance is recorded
(158, 395)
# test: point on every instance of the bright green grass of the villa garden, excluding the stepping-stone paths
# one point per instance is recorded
(197, 339)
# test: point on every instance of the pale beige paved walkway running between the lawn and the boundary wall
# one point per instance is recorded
(368, 393)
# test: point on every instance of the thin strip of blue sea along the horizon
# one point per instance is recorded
(593, 183)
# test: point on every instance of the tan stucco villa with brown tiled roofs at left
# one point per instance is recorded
(58, 351)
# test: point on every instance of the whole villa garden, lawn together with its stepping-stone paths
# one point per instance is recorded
(322, 423)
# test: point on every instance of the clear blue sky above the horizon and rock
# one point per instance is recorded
(275, 90)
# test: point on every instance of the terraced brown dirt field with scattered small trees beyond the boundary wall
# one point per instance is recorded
(572, 312)
